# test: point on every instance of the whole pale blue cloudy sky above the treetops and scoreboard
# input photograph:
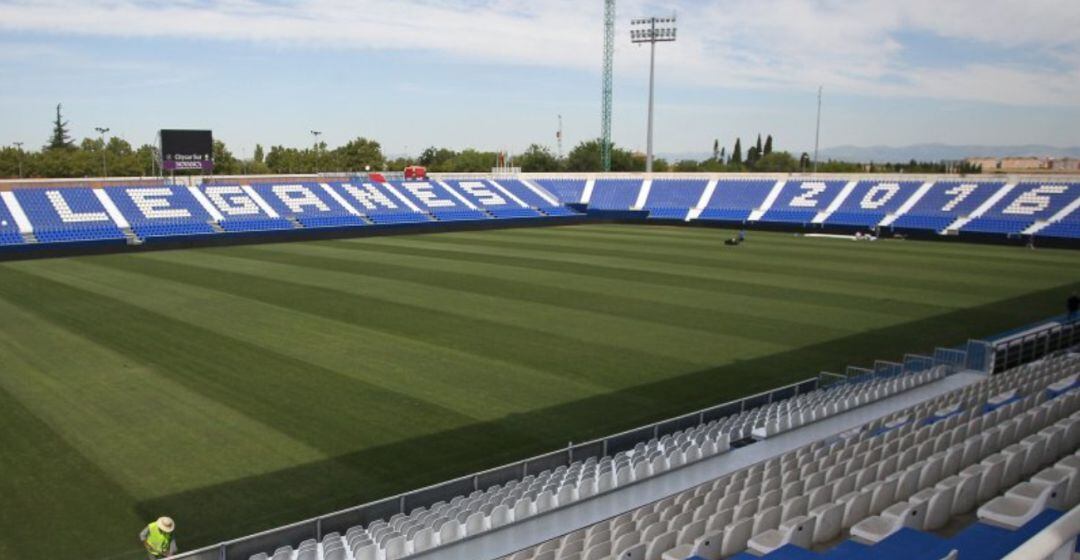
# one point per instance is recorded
(497, 74)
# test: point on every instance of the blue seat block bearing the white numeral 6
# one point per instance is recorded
(1022, 208)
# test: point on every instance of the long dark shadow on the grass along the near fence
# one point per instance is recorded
(258, 503)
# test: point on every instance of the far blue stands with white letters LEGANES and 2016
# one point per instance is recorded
(1046, 210)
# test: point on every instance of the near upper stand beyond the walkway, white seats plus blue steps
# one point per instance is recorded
(889, 485)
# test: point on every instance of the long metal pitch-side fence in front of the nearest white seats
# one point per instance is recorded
(340, 522)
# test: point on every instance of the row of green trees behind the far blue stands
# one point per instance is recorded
(91, 158)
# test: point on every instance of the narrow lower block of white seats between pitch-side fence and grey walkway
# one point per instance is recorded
(445, 523)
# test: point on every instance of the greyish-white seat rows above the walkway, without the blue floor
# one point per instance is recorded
(812, 496)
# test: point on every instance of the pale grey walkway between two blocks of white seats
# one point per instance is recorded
(545, 527)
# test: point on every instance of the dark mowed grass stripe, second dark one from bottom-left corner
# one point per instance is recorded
(314, 405)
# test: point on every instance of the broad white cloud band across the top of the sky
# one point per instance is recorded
(847, 46)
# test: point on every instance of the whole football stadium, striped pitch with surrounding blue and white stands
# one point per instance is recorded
(520, 365)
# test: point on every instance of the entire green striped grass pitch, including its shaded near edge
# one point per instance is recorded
(244, 388)
